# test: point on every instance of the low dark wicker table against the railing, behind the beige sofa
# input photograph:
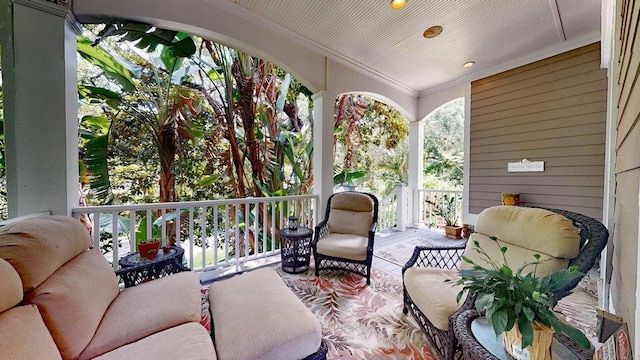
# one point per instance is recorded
(136, 269)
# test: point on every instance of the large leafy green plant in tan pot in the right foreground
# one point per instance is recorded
(519, 305)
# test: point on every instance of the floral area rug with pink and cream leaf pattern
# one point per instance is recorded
(359, 321)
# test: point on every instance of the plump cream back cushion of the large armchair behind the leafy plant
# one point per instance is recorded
(525, 232)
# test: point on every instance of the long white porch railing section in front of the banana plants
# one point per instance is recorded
(214, 233)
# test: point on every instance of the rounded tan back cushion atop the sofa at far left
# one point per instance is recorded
(37, 247)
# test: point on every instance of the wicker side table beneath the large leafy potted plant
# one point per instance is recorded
(479, 342)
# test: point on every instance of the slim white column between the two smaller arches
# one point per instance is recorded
(416, 168)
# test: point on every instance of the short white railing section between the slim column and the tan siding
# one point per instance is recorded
(424, 211)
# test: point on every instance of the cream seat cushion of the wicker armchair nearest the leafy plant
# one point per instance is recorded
(435, 298)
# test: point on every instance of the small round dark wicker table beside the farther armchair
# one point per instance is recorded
(295, 249)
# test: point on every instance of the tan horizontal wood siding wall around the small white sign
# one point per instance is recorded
(553, 110)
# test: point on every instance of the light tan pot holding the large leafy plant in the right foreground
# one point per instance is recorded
(539, 350)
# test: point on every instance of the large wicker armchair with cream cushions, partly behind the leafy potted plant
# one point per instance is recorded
(561, 238)
